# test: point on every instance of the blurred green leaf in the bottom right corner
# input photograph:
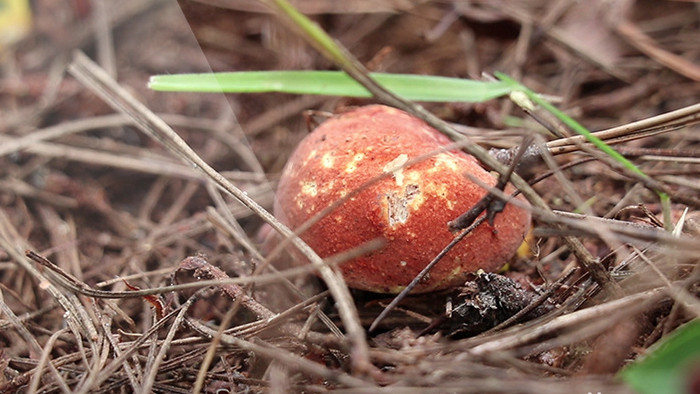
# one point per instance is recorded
(670, 366)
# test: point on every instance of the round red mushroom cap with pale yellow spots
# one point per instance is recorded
(408, 208)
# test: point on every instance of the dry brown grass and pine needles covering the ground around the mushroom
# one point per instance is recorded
(93, 178)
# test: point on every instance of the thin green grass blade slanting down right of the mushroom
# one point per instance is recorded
(593, 139)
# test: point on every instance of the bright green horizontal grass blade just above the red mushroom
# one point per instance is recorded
(333, 83)
